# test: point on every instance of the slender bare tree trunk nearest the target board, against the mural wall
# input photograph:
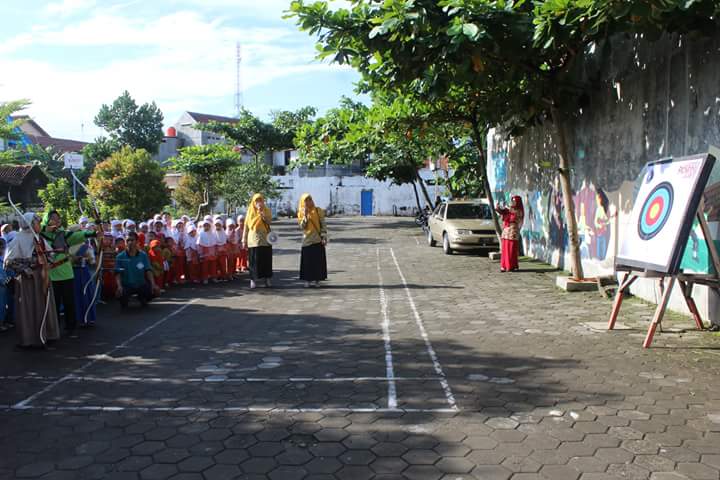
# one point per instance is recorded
(564, 175)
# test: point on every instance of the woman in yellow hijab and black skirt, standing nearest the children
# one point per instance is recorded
(255, 238)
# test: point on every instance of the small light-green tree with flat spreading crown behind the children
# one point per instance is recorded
(207, 164)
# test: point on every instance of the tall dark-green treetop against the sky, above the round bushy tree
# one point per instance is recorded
(138, 127)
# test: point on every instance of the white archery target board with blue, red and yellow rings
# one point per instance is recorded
(663, 212)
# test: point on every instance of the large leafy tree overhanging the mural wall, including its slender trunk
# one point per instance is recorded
(518, 58)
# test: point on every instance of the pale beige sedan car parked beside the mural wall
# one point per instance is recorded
(462, 225)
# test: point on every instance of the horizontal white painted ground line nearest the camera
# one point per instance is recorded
(99, 408)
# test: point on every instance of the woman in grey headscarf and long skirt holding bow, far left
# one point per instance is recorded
(36, 319)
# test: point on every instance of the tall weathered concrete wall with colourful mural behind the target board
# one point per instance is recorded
(651, 101)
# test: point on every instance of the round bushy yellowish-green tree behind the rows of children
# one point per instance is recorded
(130, 184)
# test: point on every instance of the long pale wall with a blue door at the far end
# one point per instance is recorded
(341, 195)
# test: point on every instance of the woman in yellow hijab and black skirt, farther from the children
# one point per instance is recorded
(313, 262)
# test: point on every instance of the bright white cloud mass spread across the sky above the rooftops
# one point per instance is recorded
(188, 61)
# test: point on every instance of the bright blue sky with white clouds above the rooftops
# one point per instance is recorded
(71, 56)
